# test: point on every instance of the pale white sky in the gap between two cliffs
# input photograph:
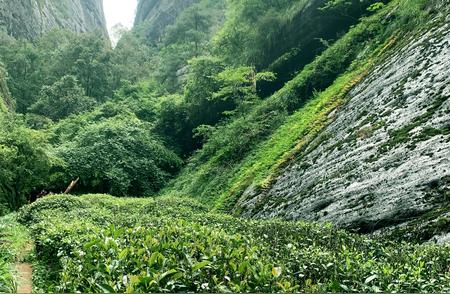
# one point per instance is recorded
(119, 11)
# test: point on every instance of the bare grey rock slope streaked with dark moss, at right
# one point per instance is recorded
(385, 158)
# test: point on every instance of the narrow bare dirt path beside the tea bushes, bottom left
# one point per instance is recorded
(24, 272)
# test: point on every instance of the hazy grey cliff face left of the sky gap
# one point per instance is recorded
(31, 18)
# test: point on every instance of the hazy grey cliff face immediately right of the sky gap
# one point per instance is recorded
(156, 15)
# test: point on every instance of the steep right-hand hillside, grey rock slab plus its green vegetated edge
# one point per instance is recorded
(348, 151)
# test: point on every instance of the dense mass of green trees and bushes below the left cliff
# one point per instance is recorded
(61, 83)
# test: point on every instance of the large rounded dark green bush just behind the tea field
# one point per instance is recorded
(119, 156)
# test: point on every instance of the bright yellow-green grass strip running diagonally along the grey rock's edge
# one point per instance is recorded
(289, 140)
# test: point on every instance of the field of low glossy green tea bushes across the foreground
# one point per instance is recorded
(97, 243)
